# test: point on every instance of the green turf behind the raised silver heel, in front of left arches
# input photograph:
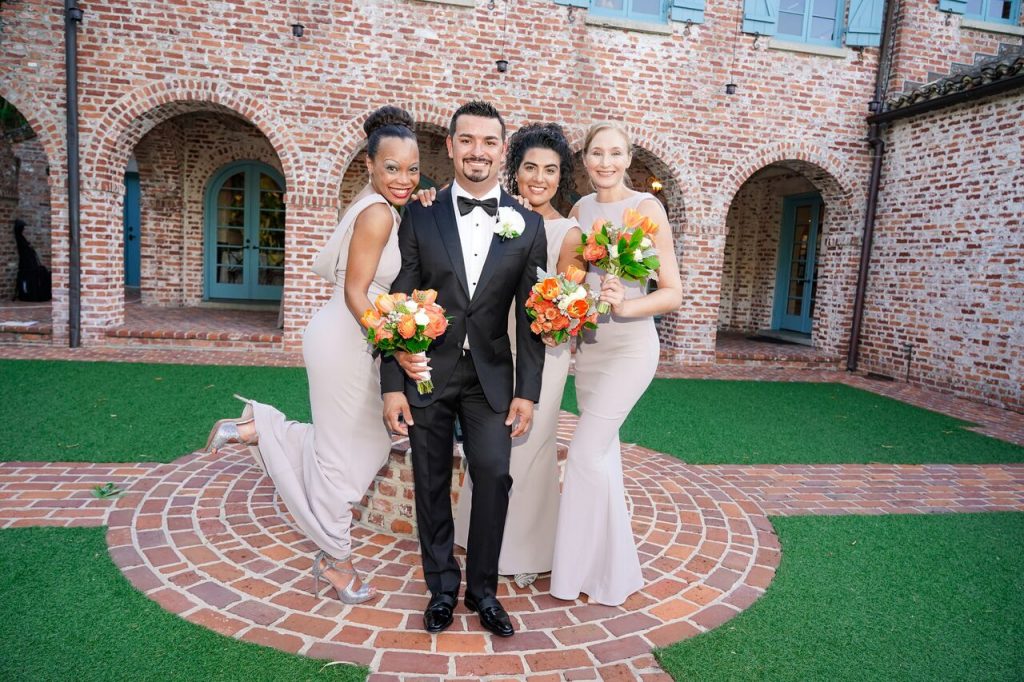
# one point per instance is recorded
(129, 412)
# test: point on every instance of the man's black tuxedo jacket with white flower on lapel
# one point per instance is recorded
(432, 259)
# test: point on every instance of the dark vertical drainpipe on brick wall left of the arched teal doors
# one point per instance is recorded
(73, 17)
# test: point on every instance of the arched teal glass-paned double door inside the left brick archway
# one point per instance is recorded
(245, 233)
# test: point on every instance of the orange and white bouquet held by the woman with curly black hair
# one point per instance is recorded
(562, 306)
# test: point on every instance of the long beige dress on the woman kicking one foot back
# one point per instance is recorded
(324, 468)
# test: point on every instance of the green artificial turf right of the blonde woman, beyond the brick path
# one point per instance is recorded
(751, 422)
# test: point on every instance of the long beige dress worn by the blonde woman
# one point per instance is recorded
(595, 552)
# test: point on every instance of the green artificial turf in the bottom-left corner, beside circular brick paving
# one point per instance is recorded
(69, 615)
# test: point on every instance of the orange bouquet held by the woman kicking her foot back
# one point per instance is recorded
(406, 323)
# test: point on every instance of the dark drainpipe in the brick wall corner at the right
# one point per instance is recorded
(875, 139)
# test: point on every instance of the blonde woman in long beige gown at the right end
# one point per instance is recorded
(595, 553)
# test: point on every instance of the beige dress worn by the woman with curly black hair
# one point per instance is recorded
(529, 544)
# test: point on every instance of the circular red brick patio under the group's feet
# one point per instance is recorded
(211, 541)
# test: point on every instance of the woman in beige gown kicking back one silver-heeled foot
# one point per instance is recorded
(324, 468)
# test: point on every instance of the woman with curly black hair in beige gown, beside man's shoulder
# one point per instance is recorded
(544, 168)
